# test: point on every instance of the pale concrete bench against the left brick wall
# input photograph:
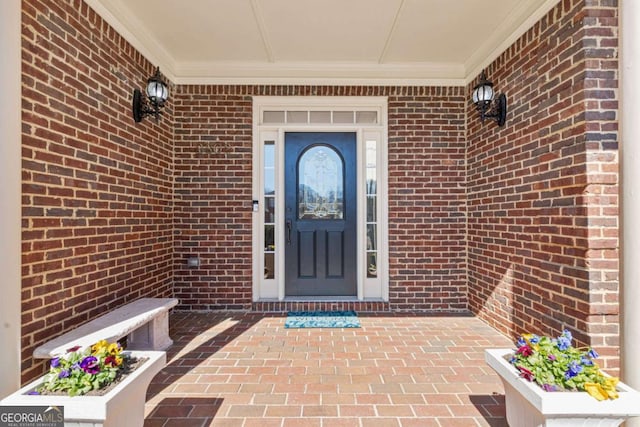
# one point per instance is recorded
(145, 323)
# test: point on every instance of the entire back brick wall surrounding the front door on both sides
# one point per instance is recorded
(426, 194)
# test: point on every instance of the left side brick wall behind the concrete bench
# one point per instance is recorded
(97, 188)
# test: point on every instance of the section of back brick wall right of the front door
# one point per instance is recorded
(427, 223)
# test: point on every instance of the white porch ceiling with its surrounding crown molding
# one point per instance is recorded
(399, 42)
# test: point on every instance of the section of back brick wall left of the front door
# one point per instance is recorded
(213, 198)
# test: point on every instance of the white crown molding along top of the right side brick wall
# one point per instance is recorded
(504, 36)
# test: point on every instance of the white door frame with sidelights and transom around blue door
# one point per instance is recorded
(365, 116)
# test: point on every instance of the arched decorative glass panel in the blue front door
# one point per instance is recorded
(320, 184)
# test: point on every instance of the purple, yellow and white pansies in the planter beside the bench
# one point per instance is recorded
(80, 371)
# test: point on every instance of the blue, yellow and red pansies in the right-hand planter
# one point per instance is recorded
(556, 365)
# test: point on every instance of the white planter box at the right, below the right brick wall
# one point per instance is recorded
(529, 405)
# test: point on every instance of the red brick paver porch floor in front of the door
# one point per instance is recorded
(243, 370)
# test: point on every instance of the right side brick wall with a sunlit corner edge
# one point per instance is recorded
(543, 190)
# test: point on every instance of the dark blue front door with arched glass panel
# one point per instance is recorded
(320, 214)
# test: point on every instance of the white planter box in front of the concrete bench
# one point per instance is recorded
(122, 406)
